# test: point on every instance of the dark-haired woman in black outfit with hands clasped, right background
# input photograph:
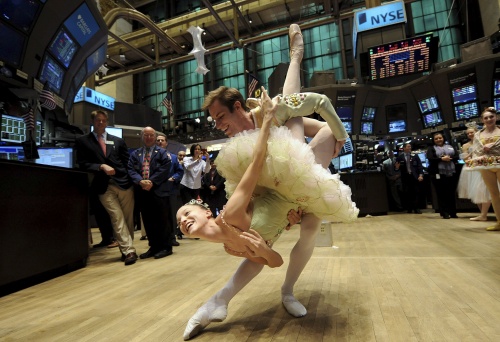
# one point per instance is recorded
(442, 161)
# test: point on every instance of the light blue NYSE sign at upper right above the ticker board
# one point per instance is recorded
(380, 16)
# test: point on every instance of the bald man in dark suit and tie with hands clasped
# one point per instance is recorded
(149, 168)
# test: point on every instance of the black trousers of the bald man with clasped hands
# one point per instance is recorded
(157, 219)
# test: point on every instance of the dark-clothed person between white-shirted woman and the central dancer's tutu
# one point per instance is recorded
(214, 193)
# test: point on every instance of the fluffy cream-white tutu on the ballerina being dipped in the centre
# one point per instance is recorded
(292, 171)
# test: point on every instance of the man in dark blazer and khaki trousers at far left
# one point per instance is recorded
(108, 155)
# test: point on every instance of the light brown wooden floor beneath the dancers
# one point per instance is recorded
(401, 277)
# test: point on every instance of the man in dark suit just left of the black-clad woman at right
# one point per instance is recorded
(412, 175)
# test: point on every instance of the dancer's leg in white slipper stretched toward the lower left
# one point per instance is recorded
(215, 309)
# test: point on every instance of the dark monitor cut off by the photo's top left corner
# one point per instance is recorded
(20, 13)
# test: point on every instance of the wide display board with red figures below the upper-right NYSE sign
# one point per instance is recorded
(403, 57)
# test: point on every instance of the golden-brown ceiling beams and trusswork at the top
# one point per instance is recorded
(227, 25)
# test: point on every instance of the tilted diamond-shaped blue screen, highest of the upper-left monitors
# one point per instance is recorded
(82, 25)
